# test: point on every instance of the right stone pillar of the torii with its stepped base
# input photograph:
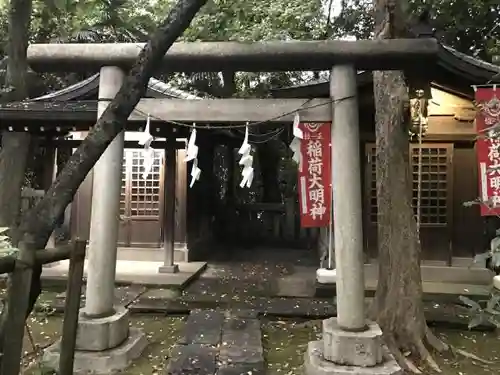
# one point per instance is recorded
(350, 343)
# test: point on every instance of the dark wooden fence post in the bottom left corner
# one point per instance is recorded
(18, 300)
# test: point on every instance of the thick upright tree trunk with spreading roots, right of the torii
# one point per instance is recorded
(398, 304)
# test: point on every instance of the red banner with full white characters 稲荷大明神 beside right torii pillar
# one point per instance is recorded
(315, 189)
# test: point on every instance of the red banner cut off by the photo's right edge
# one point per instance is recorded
(488, 152)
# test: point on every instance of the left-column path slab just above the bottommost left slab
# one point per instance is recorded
(203, 327)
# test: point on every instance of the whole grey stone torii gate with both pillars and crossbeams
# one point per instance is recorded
(104, 340)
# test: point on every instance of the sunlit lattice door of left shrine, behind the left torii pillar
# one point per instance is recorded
(141, 200)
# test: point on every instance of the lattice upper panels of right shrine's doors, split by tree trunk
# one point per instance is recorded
(434, 189)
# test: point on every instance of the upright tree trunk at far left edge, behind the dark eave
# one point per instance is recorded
(15, 146)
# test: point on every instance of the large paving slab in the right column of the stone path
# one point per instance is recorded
(241, 342)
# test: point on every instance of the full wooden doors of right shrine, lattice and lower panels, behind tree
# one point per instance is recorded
(436, 198)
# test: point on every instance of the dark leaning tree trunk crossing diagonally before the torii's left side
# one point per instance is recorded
(40, 221)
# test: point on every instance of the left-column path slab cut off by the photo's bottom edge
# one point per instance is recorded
(193, 359)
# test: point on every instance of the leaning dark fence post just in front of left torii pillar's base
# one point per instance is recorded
(72, 307)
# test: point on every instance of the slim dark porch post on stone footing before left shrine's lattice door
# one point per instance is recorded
(169, 206)
